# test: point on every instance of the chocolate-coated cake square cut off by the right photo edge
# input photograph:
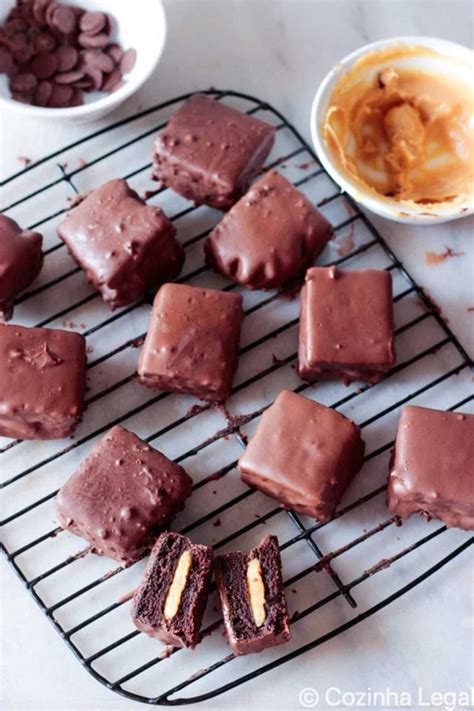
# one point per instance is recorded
(433, 466)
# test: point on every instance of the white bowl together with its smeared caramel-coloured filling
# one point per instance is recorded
(393, 124)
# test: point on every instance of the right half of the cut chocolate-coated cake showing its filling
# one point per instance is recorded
(253, 600)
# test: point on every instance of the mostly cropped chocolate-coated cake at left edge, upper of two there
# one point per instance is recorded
(21, 259)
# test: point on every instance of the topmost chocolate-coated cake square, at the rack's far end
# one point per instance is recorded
(209, 152)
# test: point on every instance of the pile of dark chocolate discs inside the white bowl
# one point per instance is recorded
(53, 53)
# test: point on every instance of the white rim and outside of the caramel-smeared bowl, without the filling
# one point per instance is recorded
(450, 54)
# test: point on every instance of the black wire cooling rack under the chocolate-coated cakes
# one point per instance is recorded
(336, 574)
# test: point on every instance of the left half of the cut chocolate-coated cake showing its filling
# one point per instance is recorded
(170, 602)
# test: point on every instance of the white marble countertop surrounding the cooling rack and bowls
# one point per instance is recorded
(279, 50)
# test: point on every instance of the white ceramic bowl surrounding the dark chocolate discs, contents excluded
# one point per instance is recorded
(141, 25)
